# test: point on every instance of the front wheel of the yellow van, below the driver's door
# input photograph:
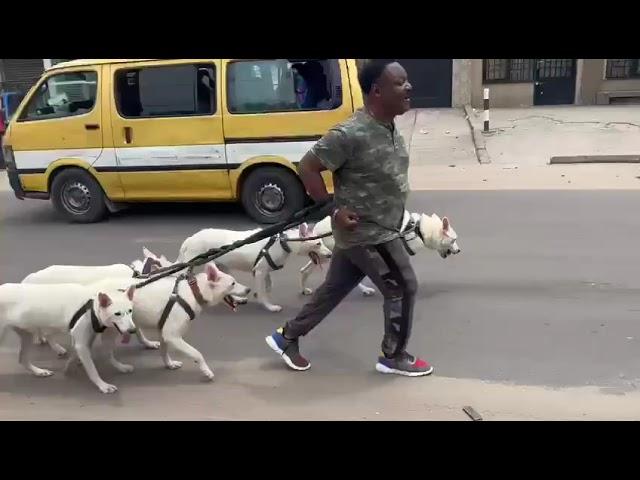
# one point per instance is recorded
(77, 196)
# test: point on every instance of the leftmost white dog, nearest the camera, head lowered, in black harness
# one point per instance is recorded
(76, 309)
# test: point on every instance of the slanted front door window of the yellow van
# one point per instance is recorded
(62, 95)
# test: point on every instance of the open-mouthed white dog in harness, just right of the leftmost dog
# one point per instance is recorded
(170, 304)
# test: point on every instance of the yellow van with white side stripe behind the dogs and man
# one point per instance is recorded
(95, 134)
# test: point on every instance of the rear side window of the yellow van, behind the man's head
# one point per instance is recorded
(283, 85)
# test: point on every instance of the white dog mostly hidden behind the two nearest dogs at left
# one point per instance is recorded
(84, 275)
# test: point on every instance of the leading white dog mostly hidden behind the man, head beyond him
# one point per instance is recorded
(420, 231)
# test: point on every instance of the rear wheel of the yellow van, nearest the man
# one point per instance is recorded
(272, 194)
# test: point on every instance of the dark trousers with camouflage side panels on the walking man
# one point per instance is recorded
(388, 266)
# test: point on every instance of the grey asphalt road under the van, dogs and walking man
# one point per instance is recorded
(546, 292)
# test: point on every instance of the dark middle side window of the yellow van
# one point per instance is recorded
(171, 91)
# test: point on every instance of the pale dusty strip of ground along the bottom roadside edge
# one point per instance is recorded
(242, 391)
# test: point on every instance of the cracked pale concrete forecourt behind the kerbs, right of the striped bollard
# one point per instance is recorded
(532, 136)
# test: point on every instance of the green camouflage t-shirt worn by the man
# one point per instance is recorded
(370, 164)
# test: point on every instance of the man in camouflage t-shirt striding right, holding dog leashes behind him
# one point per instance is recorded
(370, 163)
